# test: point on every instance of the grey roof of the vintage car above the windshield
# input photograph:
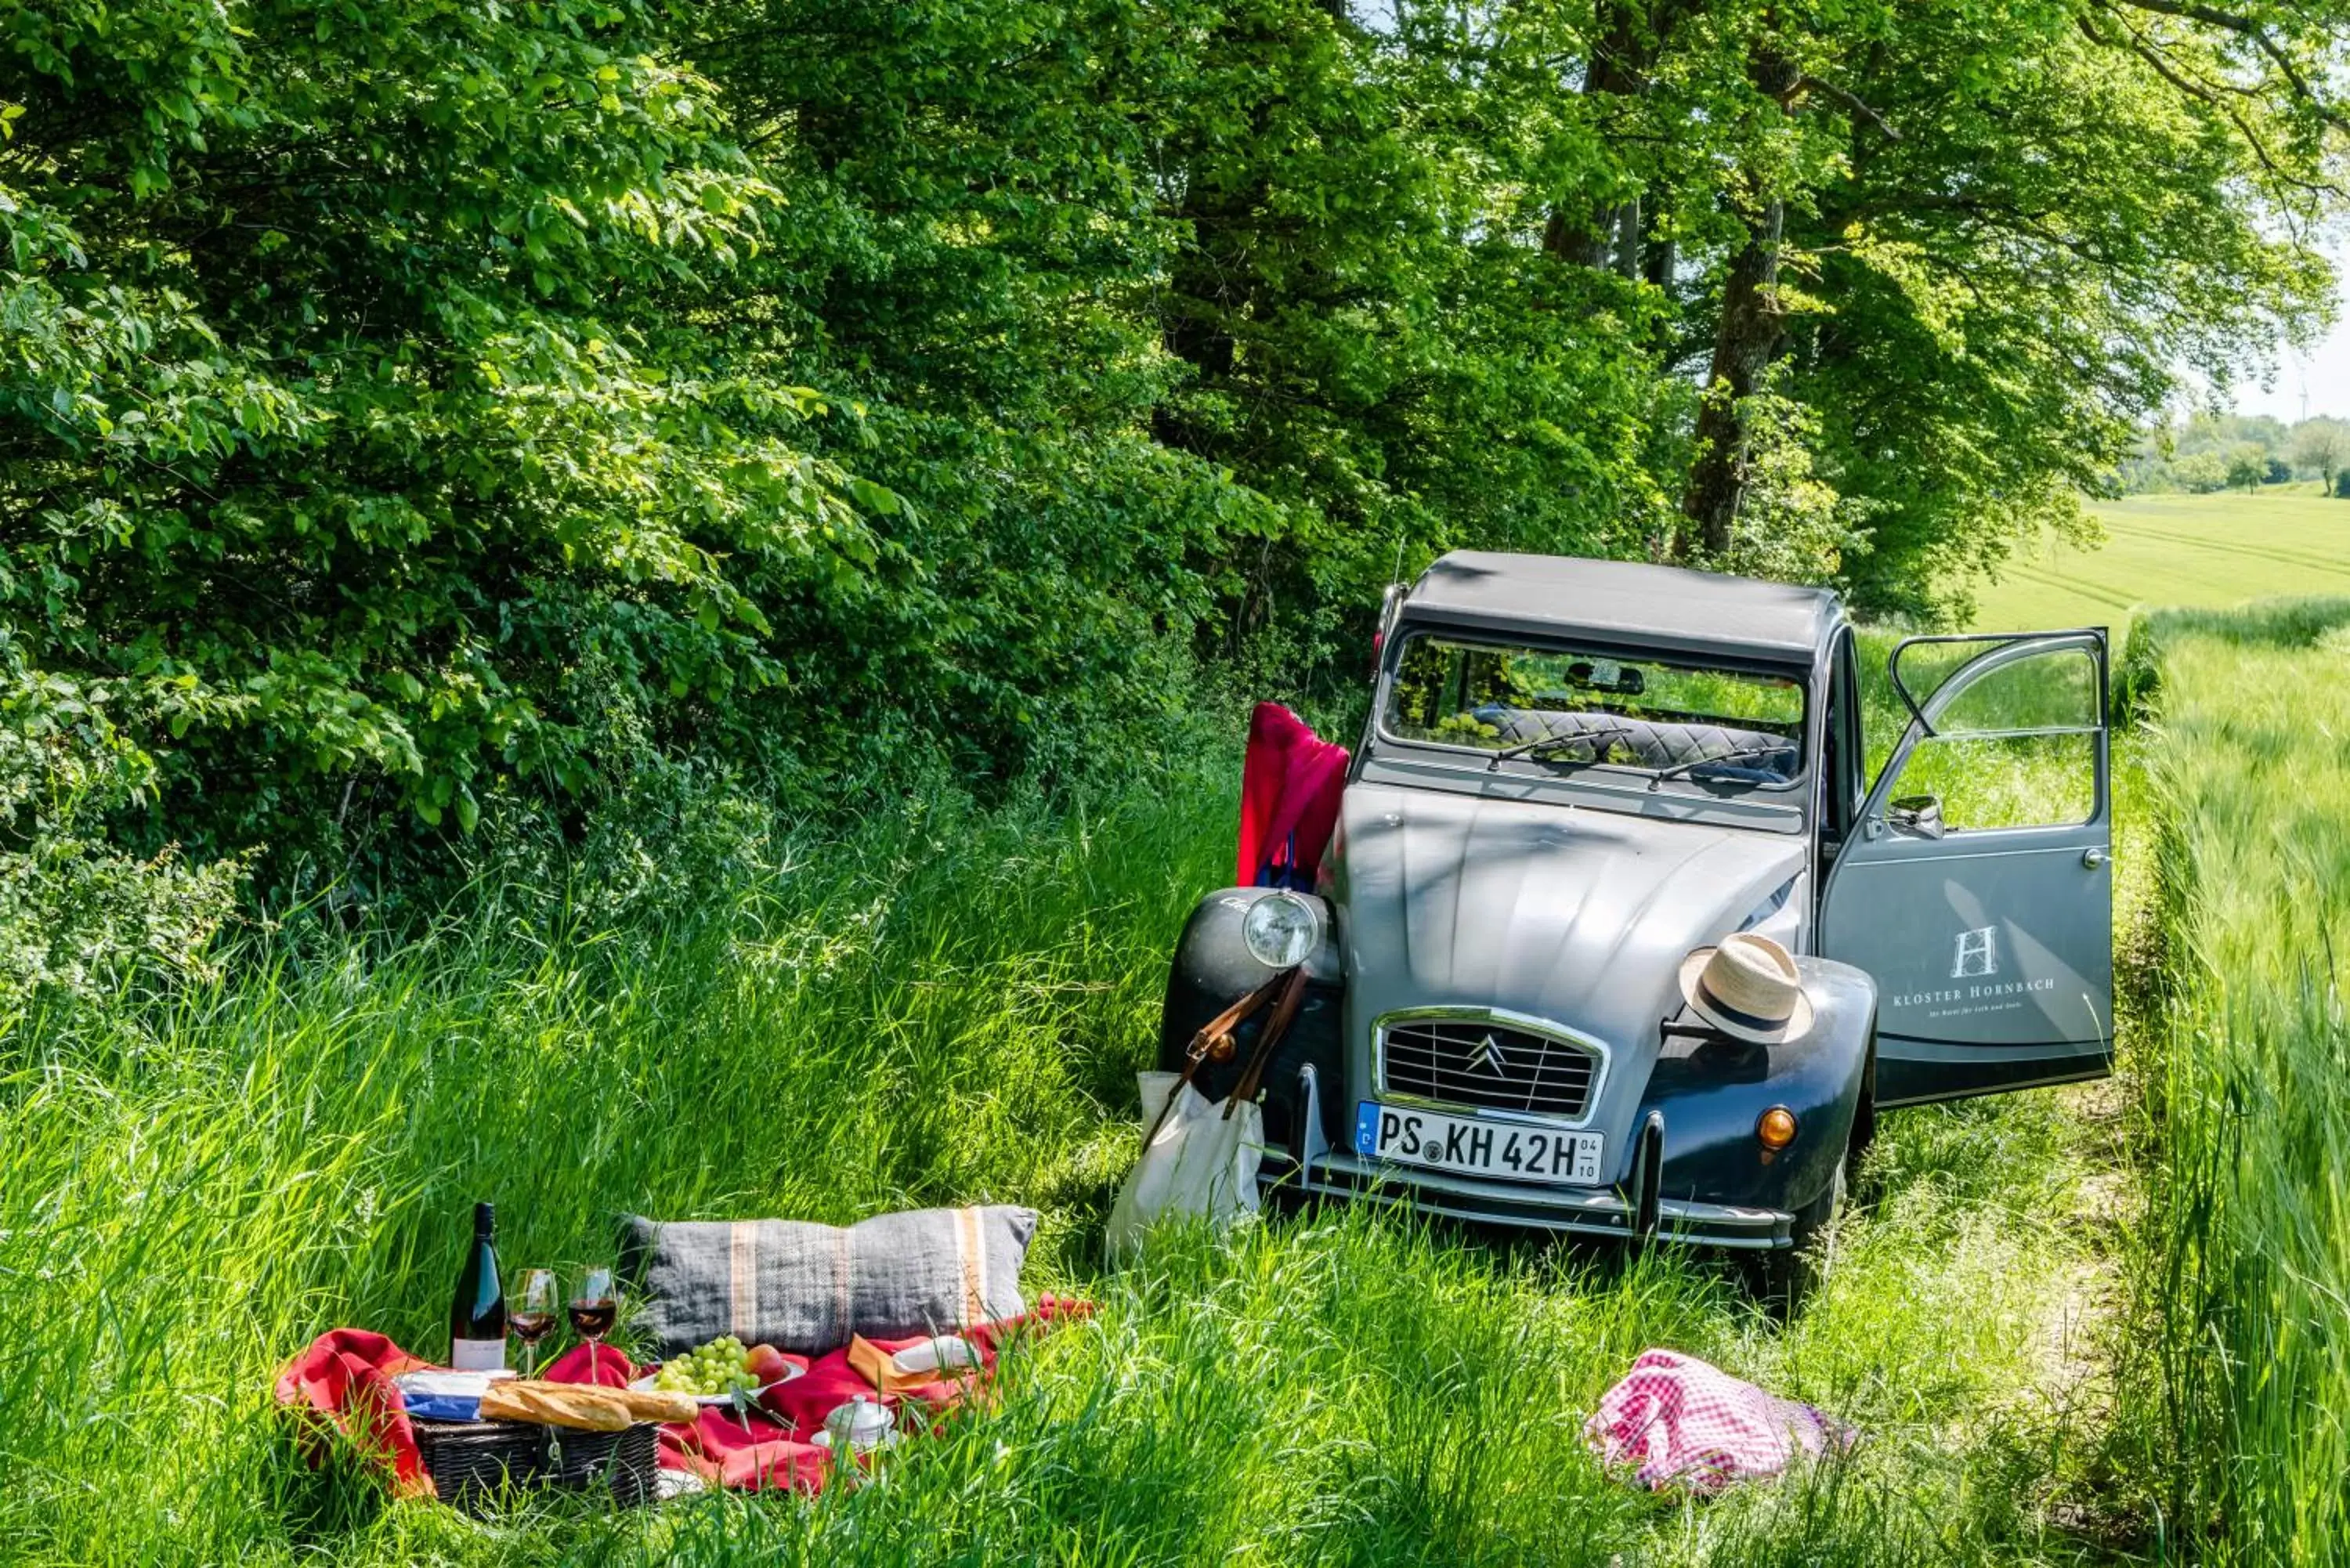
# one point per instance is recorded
(1625, 603)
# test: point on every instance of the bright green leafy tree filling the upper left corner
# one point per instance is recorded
(335, 389)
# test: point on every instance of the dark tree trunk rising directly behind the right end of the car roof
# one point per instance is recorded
(1745, 344)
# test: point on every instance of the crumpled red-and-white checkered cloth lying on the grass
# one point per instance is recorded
(1696, 1426)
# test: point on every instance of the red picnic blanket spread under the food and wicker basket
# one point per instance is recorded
(344, 1381)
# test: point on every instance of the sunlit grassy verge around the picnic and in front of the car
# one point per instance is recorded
(951, 1010)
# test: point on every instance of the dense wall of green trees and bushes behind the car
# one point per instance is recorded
(422, 410)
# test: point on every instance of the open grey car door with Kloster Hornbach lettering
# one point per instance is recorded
(1980, 880)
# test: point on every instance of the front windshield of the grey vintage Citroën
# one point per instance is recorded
(1566, 706)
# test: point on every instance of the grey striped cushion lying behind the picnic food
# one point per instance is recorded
(812, 1287)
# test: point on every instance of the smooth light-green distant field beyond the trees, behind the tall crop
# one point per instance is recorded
(2187, 551)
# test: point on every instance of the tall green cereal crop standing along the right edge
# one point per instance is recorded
(2250, 1273)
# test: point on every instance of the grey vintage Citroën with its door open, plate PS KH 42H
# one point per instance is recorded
(1576, 775)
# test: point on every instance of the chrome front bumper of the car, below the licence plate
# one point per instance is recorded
(1594, 1212)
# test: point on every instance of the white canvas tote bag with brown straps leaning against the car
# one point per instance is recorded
(1197, 1158)
